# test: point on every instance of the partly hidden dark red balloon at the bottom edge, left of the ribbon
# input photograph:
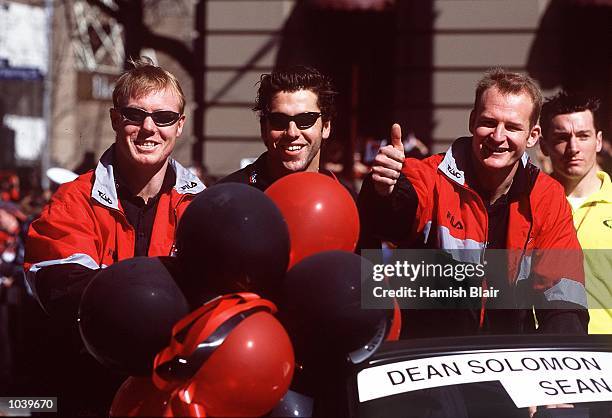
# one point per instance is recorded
(138, 397)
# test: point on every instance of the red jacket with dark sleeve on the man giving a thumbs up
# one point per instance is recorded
(544, 257)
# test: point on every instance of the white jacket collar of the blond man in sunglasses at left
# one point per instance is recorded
(104, 190)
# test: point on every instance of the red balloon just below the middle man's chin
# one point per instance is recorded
(319, 211)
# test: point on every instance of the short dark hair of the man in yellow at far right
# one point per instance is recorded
(568, 102)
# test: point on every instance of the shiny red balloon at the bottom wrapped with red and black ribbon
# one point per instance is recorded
(230, 357)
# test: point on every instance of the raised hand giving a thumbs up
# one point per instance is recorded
(388, 163)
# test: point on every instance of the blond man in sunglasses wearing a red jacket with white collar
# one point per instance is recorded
(128, 206)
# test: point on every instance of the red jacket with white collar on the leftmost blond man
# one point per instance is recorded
(84, 224)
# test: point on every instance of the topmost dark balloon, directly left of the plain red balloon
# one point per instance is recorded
(232, 237)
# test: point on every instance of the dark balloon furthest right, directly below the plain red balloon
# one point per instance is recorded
(320, 306)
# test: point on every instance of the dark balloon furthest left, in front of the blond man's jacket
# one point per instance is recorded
(127, 313)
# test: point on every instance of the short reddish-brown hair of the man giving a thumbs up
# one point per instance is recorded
(511, 83)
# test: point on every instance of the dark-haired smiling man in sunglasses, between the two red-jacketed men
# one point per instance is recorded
(295, 107)
